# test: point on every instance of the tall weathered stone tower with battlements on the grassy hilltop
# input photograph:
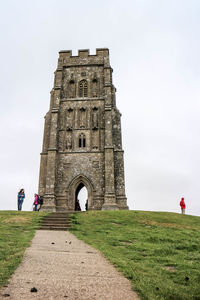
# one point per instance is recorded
(82, 136)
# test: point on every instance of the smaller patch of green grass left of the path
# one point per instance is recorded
(16, 231)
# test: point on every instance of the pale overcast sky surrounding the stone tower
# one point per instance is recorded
(155, 54)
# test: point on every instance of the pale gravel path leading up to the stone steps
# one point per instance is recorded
(59, 266)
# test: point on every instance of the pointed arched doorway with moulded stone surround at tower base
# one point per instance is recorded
(81, 189)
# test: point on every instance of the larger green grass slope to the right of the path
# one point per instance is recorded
(158, 252)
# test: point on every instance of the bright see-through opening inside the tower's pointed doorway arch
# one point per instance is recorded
(81, 198)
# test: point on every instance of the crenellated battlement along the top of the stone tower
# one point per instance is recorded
(84, 53)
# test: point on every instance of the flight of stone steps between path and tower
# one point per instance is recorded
(56, 221)
